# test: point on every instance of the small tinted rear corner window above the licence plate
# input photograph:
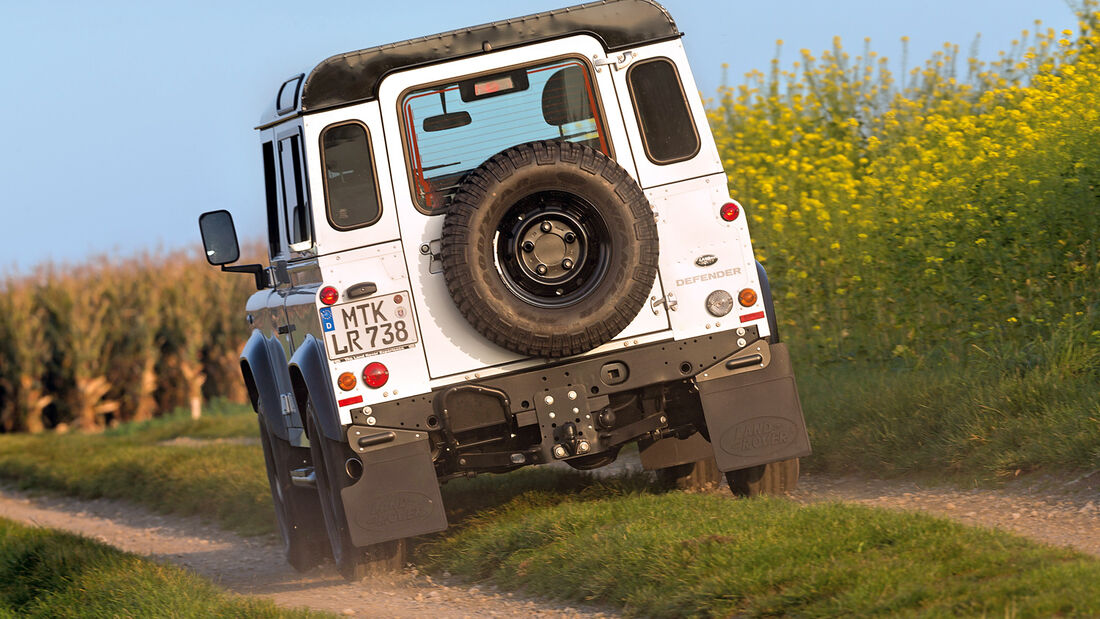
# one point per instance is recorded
(351, 194)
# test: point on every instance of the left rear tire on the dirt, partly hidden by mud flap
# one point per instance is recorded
(355, 563)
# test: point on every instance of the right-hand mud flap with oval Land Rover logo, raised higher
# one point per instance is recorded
(752, 408)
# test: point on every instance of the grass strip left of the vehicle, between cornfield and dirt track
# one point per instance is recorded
(225, 482)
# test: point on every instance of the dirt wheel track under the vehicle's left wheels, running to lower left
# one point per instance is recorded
(256, 567)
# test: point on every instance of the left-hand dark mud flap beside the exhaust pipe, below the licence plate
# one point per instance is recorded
(398, 495)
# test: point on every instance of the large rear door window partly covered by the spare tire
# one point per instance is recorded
(453, 128)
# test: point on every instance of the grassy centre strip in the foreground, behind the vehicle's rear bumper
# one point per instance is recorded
(683, 555)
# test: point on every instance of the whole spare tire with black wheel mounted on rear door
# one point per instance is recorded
(549, 249)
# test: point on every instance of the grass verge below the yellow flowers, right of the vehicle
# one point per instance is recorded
(997, 415)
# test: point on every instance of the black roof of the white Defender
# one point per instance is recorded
(355, 78)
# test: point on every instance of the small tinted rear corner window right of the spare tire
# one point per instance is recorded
(668, 130)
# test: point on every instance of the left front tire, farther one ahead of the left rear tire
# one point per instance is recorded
(298, 511)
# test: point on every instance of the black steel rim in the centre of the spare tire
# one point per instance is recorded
(553, 249)
